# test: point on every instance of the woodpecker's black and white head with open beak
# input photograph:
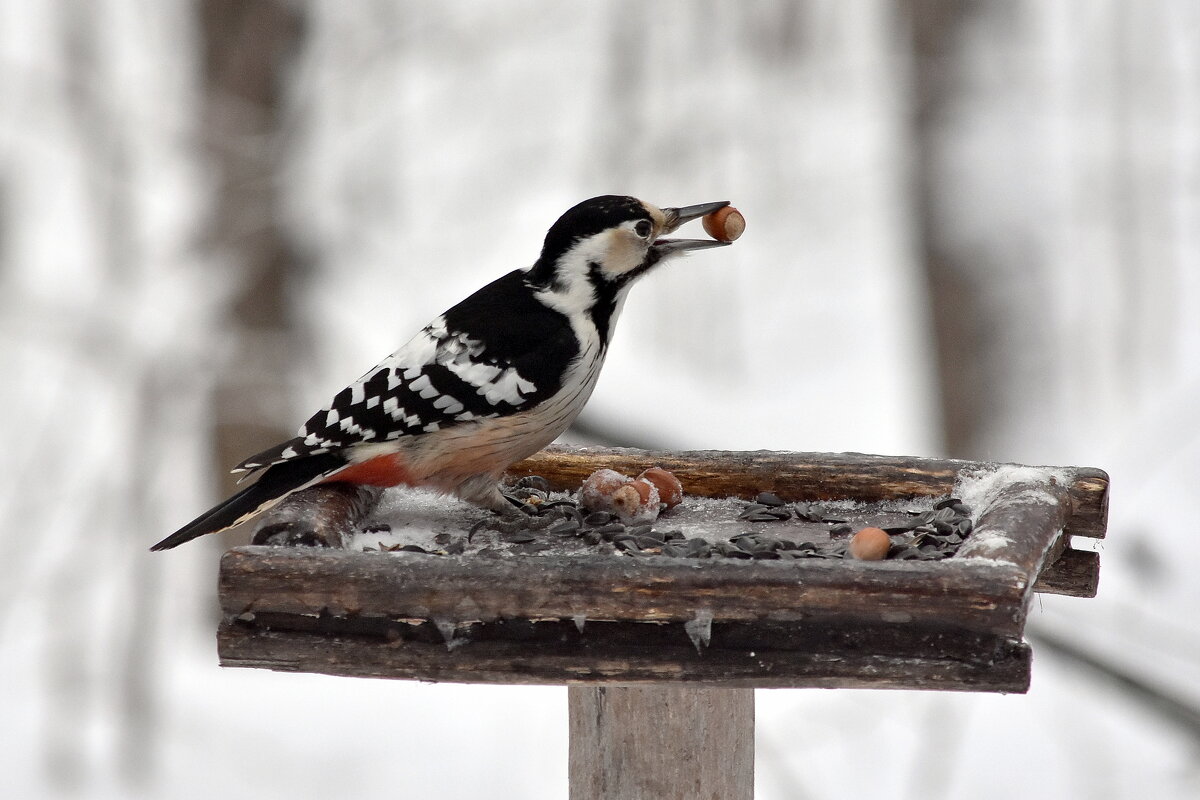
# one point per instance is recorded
(602, 246)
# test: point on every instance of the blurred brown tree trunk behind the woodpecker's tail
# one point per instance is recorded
(248, 49)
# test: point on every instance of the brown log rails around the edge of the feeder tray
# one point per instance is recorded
(605, 619)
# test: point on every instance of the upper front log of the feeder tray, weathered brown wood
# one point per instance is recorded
(971, 596)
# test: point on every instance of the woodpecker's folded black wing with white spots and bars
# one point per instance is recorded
(446, 376)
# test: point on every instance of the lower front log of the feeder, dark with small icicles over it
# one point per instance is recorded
(623, 654)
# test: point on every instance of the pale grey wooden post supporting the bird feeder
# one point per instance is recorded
(662, 743)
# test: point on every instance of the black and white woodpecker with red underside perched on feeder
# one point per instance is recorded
(487, 384)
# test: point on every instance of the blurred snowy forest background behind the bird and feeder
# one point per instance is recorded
(974, 232)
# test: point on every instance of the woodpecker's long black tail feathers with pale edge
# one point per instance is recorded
(277, 484)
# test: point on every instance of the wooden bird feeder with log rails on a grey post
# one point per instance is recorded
(663, 653)
